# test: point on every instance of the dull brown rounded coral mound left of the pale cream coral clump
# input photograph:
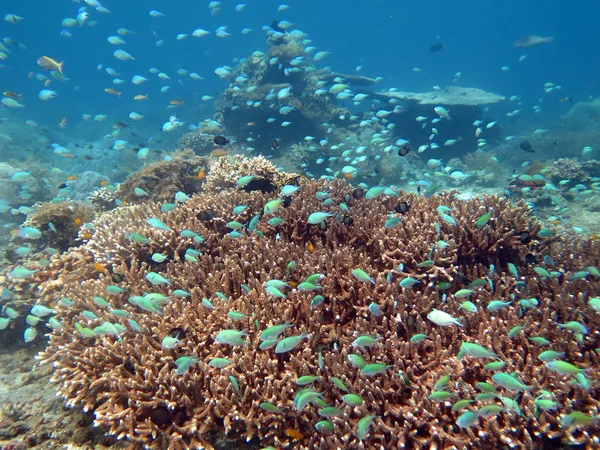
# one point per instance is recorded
(162, 179)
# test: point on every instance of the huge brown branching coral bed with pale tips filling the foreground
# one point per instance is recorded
(130, 380)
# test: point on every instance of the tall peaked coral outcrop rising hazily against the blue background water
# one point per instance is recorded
(253, 98)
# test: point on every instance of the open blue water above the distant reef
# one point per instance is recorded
(388, 38)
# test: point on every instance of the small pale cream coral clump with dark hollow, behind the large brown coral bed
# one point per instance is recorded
(224, 172)
